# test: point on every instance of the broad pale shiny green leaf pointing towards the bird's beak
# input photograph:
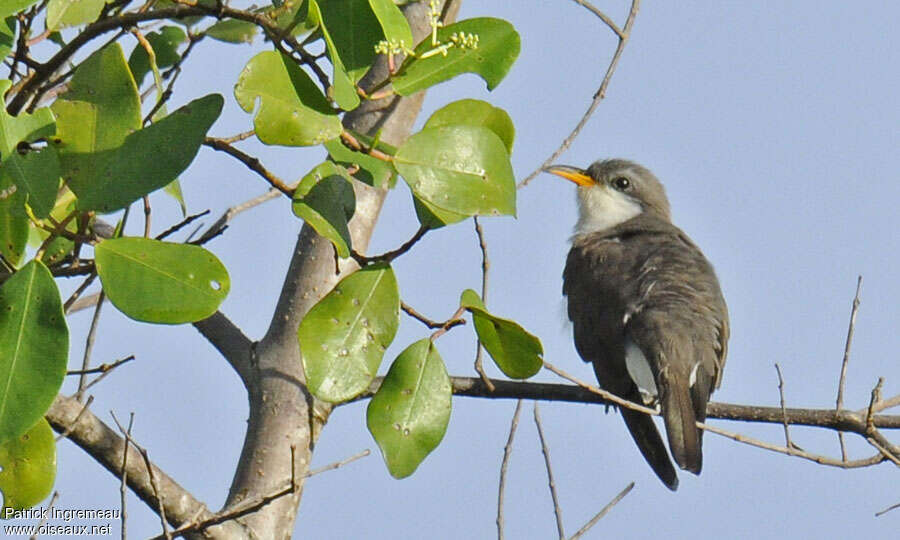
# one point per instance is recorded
(461, 169)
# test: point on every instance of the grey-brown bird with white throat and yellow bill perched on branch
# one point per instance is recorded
(646, 309)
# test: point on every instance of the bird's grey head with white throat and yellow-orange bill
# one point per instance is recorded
(611, 192)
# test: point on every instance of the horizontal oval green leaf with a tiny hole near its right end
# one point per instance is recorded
(161, 282)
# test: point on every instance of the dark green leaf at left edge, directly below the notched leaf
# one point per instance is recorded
(37, 173)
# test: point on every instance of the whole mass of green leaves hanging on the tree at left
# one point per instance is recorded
(83, 142)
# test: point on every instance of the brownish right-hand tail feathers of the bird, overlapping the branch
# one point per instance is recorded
(679, 410)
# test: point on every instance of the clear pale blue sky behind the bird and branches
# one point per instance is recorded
(776, 133)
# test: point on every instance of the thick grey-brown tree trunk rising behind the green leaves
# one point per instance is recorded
(283, 414)
